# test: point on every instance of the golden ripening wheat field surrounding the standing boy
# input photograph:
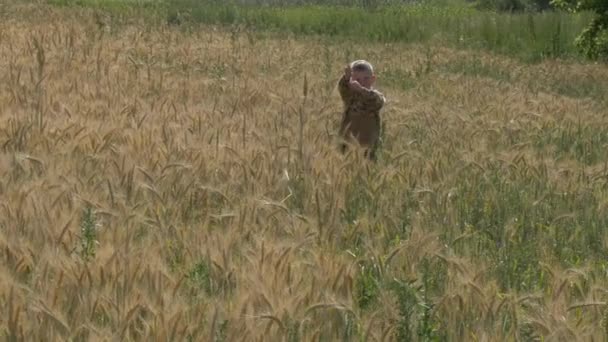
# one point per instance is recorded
(166, 183)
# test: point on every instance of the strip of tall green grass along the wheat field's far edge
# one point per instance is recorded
(531, 36)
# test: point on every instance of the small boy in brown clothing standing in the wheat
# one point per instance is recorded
(362, 104)
